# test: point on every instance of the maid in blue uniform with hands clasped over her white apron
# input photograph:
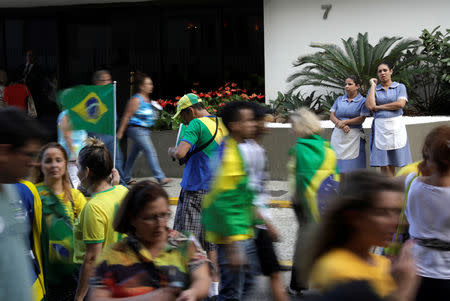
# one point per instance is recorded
(348, 113)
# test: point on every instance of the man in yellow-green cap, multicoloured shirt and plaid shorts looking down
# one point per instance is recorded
(198, 143)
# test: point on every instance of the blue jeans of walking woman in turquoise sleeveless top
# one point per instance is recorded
(142, 142)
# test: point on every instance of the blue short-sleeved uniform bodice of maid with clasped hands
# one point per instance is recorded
(344, 110)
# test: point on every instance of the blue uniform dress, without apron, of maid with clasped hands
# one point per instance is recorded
(343, 109)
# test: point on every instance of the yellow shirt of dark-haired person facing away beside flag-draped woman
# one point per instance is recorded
(95, 223)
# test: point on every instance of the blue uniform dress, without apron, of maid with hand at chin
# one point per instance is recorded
(395, 157)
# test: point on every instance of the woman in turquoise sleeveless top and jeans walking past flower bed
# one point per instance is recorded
(137, 120)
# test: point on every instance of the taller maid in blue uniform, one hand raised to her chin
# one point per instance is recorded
(389, 146)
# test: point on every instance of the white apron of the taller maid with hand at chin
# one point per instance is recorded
(390, 133)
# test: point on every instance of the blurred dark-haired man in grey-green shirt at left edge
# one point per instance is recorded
(20, 141)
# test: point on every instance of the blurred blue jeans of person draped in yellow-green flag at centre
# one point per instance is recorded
(237, 282)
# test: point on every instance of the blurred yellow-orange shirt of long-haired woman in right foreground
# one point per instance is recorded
(340, 266)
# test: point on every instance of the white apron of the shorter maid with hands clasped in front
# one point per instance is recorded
(346, 145)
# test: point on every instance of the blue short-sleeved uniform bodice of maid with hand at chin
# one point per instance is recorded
(395, 92)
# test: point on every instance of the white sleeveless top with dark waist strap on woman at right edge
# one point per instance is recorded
(428, 213)
